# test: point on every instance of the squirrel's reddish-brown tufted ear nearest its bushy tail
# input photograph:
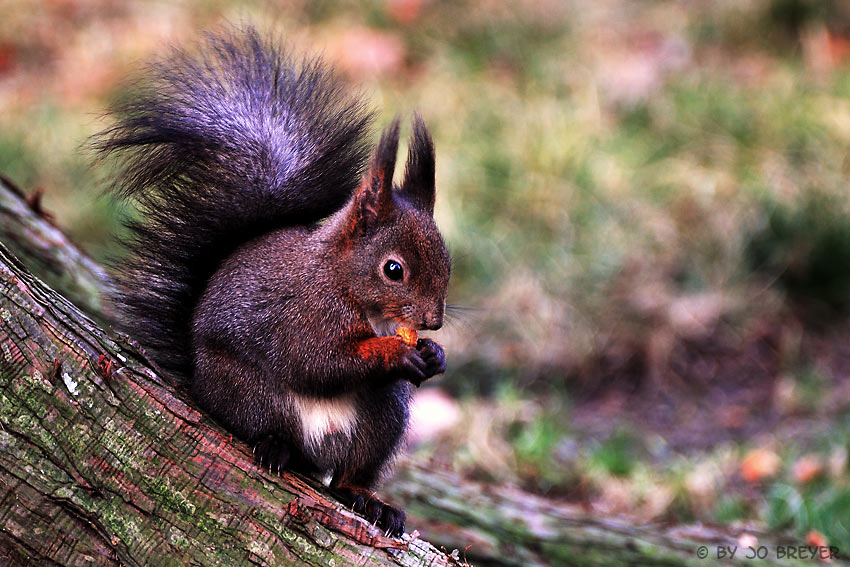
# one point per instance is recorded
(374, 199)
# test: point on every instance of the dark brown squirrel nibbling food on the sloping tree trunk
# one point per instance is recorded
(272, 260)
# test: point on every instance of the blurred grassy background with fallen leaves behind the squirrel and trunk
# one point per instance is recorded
(647, 207)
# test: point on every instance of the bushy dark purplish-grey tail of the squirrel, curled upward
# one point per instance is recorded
(216, 148)
